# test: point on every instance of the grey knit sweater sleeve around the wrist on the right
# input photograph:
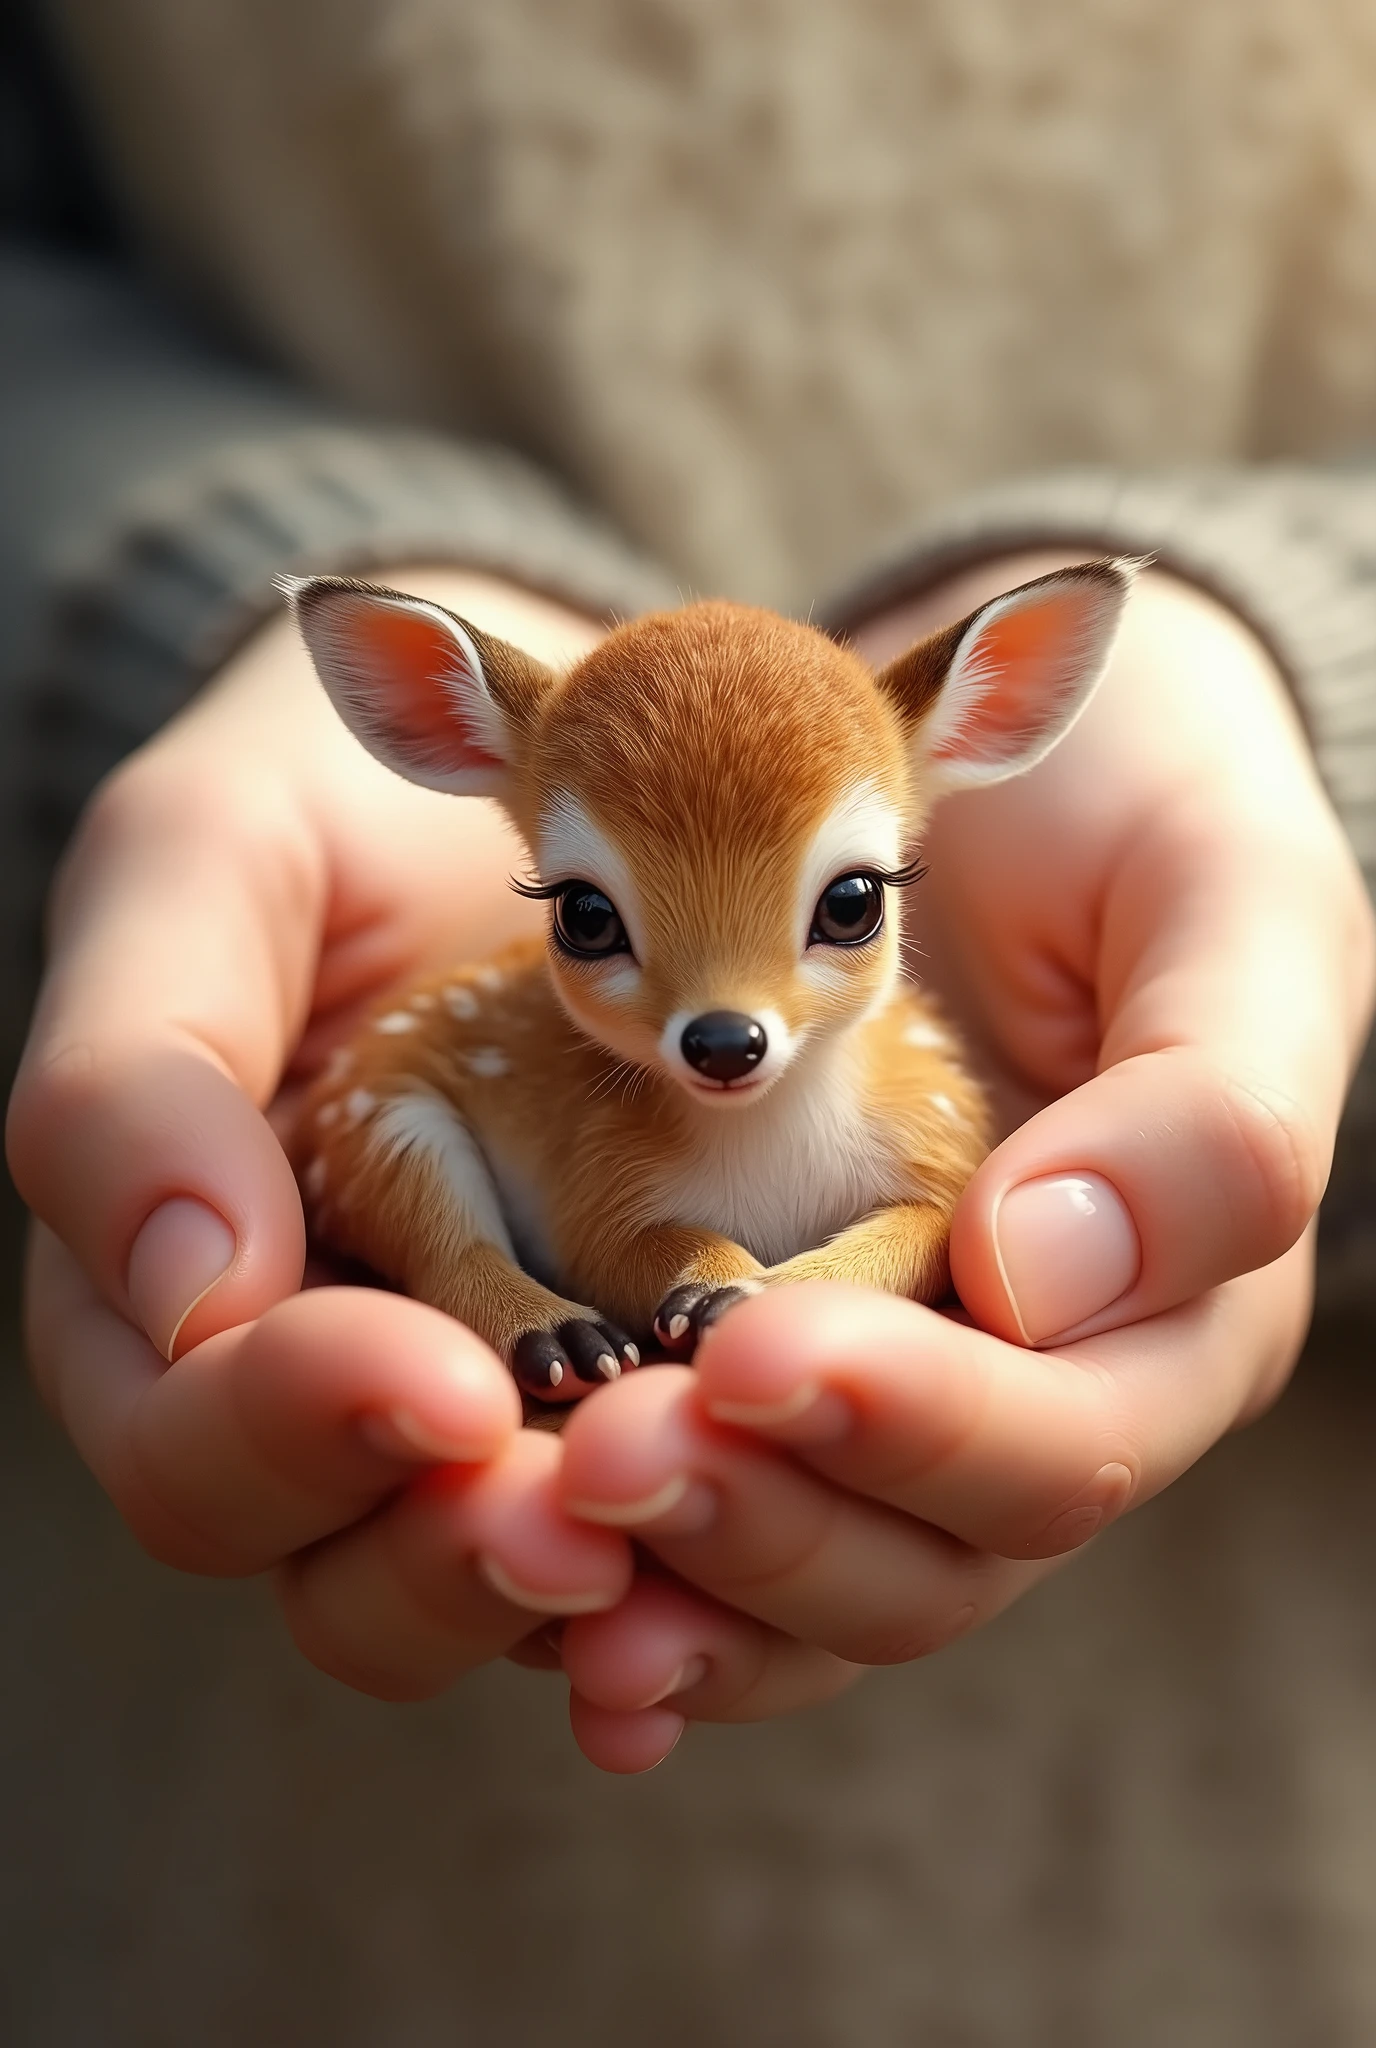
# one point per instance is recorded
(1293, 552)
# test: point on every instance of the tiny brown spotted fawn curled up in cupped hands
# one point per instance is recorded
(712, 1076)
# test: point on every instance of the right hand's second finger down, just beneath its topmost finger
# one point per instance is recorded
(767, 1537)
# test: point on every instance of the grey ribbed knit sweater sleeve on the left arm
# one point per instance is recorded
(155, 490)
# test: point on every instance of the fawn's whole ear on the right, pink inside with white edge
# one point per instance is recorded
(992, 695)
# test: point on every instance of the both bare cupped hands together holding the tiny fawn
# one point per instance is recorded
(1160, 947)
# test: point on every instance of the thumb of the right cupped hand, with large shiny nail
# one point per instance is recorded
(1234, 982)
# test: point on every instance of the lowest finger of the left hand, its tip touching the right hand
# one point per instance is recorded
(404, 1605)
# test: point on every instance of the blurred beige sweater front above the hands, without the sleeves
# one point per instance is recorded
(773, 280)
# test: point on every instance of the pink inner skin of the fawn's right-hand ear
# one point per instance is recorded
(1023, 665)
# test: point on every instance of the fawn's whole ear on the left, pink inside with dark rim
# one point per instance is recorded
(431, 697)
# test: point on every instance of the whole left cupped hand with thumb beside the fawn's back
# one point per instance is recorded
(236, 892)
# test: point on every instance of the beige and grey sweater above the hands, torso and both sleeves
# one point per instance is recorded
(785, 290)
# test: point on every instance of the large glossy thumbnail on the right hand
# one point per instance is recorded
(1068, 1248)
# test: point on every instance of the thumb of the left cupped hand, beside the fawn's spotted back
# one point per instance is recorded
(175, 990)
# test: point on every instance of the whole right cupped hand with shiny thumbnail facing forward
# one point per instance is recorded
(1162, 951)
